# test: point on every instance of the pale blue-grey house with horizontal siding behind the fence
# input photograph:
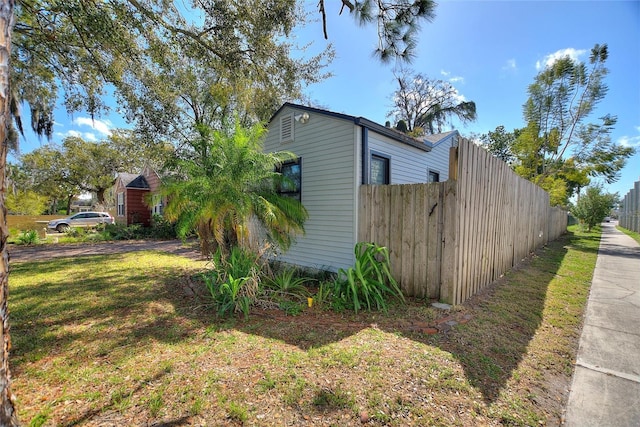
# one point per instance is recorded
(336, 154)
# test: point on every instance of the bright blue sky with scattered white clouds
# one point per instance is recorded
(489, 50)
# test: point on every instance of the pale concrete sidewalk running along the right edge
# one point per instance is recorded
(605, 389)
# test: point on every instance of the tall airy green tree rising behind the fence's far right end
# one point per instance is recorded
(560, 149)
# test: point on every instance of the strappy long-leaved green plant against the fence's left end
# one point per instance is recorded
(369, 283)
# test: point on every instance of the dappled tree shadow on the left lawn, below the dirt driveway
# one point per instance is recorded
(95, 307)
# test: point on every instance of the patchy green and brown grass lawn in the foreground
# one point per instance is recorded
(123, 340)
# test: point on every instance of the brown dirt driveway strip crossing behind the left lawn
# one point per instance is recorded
(44, 252)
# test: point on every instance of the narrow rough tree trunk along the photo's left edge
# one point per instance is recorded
(8, 416)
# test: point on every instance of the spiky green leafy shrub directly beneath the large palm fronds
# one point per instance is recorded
(234, 281)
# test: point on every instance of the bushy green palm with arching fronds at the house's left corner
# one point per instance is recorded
(223, 182)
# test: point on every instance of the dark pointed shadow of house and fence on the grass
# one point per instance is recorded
(505, 317)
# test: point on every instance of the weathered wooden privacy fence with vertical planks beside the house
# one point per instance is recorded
(449, 240)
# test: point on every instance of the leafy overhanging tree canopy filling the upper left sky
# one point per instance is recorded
(171, 68)
